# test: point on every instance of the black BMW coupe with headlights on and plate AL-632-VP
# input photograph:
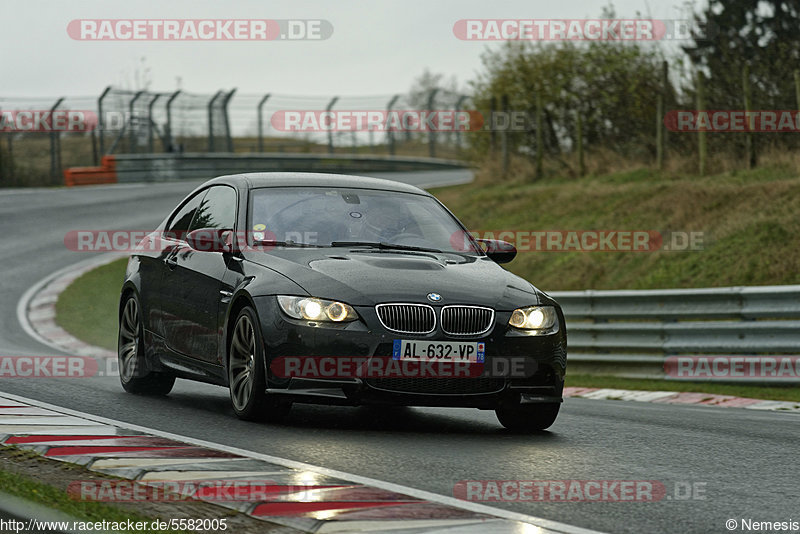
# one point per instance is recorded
(322, 288)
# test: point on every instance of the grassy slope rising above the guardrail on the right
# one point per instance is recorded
(749, 221)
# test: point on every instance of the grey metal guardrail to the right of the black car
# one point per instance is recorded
(638, 329)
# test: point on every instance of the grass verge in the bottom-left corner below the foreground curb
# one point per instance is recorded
(56, 499)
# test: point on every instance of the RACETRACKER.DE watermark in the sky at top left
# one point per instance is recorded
(199, 29)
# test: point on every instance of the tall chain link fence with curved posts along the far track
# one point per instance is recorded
(120, 121)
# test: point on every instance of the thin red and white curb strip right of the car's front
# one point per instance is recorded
(673, 397)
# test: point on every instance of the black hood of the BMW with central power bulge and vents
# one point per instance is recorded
(365, 278)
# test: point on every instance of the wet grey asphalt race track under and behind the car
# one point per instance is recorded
(745, 461)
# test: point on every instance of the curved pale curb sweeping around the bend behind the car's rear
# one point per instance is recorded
(36, 310)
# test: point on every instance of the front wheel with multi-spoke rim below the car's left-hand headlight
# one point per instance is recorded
(246, 373)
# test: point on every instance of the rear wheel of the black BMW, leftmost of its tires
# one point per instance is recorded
(134, 375)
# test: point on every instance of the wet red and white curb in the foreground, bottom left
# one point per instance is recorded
(326, 501)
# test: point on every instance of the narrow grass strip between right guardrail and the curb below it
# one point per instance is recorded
(789, 393)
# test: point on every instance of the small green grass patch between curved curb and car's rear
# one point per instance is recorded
(88, 307)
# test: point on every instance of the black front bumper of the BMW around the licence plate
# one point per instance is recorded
(543, 357)
